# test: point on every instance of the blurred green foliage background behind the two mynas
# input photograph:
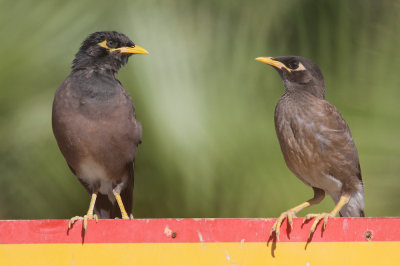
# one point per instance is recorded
(209, 147)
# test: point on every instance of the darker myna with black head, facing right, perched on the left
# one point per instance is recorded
(95, 125)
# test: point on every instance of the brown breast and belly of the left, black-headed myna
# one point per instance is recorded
(103, 132)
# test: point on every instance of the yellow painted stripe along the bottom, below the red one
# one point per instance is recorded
(332, 253)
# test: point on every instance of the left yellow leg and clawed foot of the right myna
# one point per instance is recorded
(319, 195)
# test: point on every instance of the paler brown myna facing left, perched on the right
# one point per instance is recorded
(315, 141)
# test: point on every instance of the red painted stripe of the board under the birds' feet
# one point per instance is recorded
(194, 231)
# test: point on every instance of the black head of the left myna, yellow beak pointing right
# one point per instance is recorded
(107, 50)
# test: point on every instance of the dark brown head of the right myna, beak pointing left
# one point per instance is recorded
(298, 73)
